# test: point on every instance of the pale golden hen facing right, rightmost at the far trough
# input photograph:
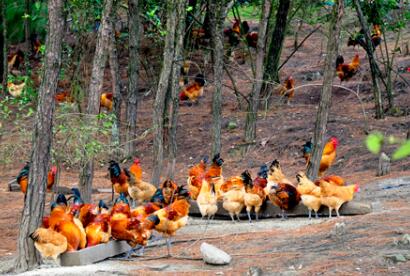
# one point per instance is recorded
(334, 196)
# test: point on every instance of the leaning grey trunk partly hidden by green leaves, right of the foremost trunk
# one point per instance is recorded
(94, 90)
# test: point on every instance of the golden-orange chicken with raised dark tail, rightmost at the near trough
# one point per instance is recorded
(173, 217)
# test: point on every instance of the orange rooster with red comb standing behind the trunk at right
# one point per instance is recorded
(328, 155)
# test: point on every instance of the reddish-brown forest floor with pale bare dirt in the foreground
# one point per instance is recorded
(293, 247)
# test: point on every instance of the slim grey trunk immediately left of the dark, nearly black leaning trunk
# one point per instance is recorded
(251, 117)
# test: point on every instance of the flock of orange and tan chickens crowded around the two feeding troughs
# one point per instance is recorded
(74, 224)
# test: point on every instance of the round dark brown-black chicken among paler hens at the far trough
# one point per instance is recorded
(285, 196)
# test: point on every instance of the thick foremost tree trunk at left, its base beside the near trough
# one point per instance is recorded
(42, 138)
